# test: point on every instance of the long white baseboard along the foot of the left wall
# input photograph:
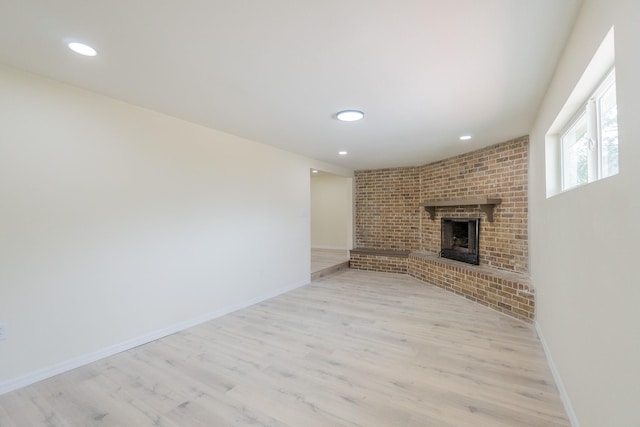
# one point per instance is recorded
(42, 374)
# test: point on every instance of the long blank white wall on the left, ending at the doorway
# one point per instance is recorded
(118, 224)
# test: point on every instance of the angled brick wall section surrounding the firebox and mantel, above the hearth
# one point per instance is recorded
(497, 171)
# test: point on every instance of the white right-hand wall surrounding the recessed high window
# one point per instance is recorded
(584, 243)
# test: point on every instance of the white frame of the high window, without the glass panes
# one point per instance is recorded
(592, 111)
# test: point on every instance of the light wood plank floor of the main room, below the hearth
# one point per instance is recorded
(351, 349)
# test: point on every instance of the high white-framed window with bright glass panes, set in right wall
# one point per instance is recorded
(589, 144)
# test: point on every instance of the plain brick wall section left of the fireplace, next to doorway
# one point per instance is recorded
(387, 208)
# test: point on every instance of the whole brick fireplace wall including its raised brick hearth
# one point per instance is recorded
(396, 231)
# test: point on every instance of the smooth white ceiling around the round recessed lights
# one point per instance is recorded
(423, 71)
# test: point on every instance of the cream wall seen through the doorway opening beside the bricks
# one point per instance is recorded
(331, 211)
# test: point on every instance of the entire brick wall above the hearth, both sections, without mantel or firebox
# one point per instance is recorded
(388, 215)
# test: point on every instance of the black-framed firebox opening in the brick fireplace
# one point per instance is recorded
(460, 238)
